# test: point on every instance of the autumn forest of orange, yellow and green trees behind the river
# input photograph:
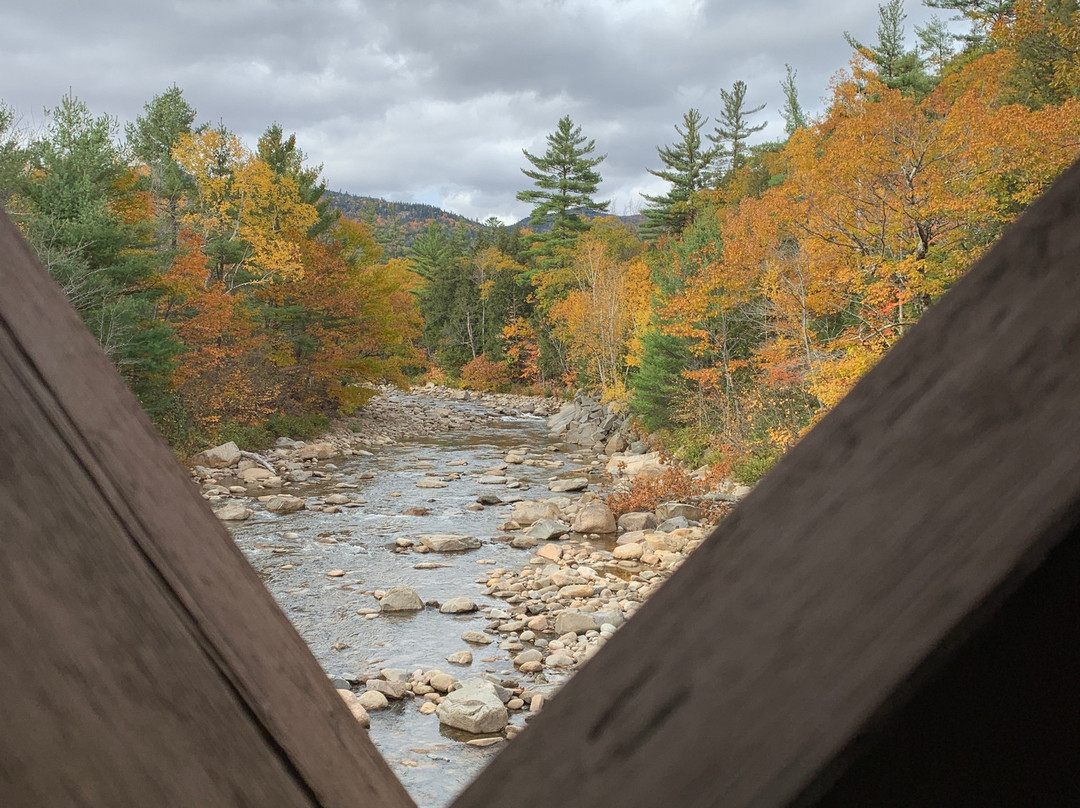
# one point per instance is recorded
(238, 304)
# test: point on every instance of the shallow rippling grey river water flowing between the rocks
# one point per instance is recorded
(294, 554)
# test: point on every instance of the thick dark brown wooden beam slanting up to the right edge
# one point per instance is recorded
(855, 573)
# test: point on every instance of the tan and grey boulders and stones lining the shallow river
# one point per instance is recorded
(583, 573)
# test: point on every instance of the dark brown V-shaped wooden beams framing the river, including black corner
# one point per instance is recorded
(894, 600)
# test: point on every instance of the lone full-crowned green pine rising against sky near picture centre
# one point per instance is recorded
(565, 184)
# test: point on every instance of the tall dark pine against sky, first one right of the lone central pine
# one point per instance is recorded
(687, 170)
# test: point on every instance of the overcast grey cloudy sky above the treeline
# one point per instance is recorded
(434, 102)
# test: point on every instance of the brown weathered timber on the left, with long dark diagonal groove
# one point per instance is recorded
(133, 630)
